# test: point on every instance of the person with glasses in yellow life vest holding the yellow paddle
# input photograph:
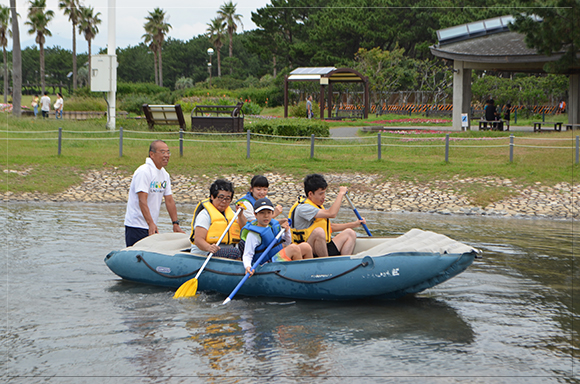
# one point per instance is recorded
(210, 220)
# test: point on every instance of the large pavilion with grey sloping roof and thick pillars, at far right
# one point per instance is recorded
(490, 45)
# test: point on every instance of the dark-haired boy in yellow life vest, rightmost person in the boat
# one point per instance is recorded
(311, 221)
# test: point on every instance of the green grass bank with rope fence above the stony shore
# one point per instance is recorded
(33, 164)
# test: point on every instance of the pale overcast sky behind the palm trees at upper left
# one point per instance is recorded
(187, 18)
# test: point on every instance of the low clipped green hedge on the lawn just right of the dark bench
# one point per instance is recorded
(290, 127)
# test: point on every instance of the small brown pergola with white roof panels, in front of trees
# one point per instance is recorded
(326, 76)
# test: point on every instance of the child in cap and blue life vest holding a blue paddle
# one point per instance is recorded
(260, 233)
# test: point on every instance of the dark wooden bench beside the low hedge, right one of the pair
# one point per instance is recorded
(218, 118)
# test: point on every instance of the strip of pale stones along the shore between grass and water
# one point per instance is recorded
(560, 201)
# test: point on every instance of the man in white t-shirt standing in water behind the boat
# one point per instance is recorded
(149, 186)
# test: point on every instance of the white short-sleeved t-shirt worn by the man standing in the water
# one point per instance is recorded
(153, 181)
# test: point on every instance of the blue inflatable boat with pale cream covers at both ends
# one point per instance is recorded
(381, 268)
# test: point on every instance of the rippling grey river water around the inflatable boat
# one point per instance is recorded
(512, 317)
